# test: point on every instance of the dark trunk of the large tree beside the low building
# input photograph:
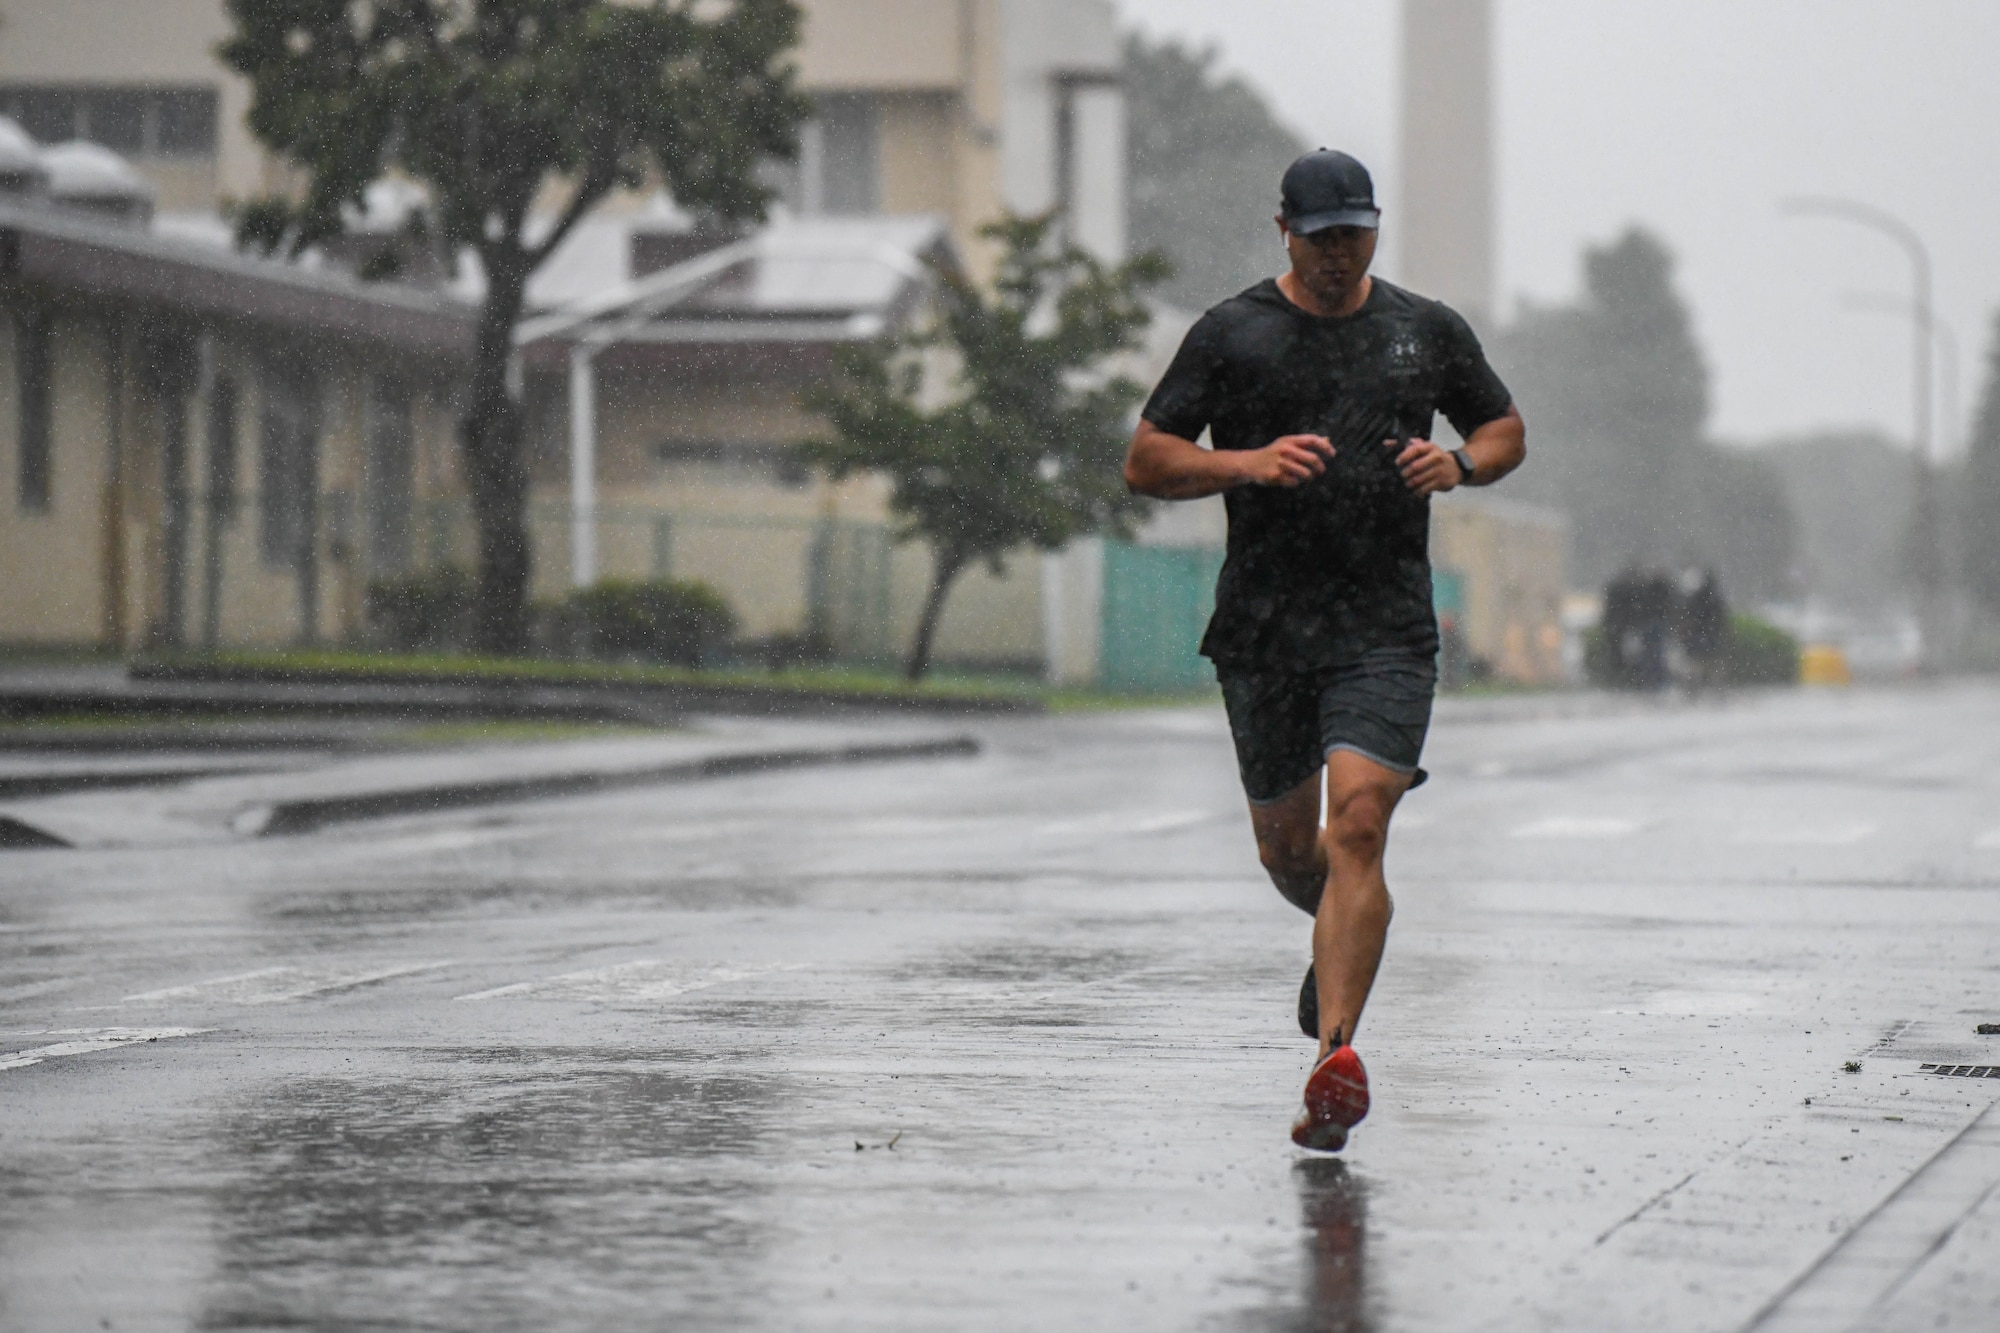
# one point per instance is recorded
(497, 473)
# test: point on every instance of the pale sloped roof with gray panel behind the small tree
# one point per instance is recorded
(803, 281)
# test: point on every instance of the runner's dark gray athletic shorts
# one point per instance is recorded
(1287, 722)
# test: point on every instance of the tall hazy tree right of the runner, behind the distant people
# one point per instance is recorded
(1617, 397)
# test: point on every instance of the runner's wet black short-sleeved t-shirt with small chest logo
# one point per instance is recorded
(1321, 573)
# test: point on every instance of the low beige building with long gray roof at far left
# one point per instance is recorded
(199, 447)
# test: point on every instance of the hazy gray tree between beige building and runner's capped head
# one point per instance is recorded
(1203, 171)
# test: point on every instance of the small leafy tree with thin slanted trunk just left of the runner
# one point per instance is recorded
(999, 425)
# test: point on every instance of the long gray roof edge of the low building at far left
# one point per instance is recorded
(75, 253)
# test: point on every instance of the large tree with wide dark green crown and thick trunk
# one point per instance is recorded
(495, 107)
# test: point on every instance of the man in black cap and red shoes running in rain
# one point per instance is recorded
(1321, 393)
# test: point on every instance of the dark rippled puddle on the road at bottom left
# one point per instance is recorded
(491, 1196)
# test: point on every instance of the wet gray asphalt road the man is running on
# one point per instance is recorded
(1007, 1044)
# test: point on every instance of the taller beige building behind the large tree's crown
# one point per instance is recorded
(925, 107)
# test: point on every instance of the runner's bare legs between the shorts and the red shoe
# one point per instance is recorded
(1337, 876)
